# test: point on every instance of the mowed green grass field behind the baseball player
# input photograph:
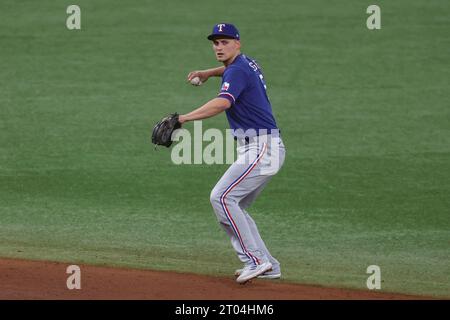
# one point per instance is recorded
(365, 117)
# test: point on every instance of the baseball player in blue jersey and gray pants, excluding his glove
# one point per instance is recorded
(260, 149)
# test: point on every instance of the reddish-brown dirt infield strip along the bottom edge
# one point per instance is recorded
(23, 279)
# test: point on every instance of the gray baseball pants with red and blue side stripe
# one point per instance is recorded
(258, 160)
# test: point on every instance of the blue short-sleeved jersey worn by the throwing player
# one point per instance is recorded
(244, 86)
